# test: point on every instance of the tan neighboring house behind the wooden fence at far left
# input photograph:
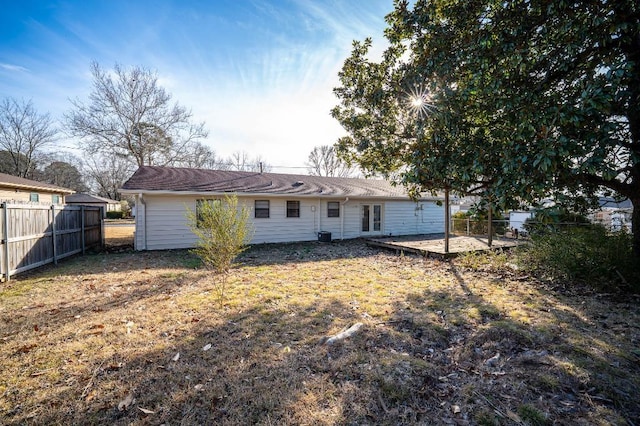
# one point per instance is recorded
(21, 190)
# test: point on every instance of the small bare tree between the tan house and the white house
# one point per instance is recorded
(107, 174)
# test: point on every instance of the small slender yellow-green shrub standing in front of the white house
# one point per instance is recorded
(223, 229)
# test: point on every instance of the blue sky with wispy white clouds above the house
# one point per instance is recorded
(259, 73)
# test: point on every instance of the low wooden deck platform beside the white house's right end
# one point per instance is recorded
(433, 244)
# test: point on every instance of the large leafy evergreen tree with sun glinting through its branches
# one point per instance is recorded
(519, 100)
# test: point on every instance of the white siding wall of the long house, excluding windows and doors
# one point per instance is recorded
(163, 217)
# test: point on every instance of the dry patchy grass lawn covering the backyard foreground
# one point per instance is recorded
(120, 339)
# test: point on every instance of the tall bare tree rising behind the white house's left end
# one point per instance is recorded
(130, 115)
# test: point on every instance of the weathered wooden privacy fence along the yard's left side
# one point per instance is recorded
(34, 235)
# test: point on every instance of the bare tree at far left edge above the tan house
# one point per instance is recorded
(23, 135)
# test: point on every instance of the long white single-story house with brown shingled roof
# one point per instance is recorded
(284, 208)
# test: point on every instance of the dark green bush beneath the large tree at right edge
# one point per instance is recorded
(586, 253)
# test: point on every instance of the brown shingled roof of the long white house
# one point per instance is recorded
(153, 179)
